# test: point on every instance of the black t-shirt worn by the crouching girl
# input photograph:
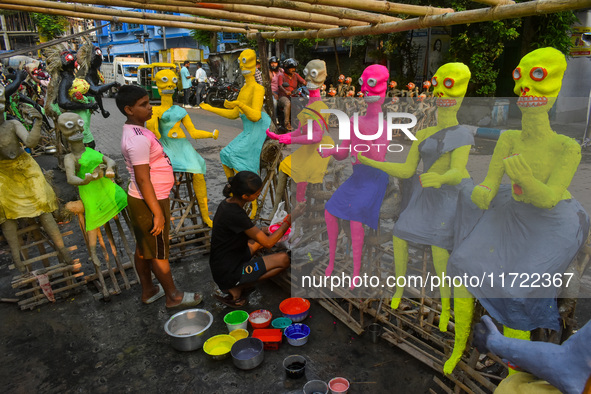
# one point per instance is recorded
(229, 244)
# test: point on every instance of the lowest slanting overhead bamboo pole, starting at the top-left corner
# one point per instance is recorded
(135, 14)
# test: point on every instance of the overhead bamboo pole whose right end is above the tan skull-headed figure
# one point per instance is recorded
(183, 8)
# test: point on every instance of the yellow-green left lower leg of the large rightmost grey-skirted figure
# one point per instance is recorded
(463, 312)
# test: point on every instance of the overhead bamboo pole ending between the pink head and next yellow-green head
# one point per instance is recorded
(334, 10)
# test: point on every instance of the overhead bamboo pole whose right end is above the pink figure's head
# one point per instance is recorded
(266, 11)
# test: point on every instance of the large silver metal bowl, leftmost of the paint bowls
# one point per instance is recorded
(187, 329)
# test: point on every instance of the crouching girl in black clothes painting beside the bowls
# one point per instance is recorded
(235, 239)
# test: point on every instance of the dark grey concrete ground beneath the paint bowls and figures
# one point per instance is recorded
(84, 345)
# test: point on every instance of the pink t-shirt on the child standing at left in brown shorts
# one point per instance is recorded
(140, 146)
